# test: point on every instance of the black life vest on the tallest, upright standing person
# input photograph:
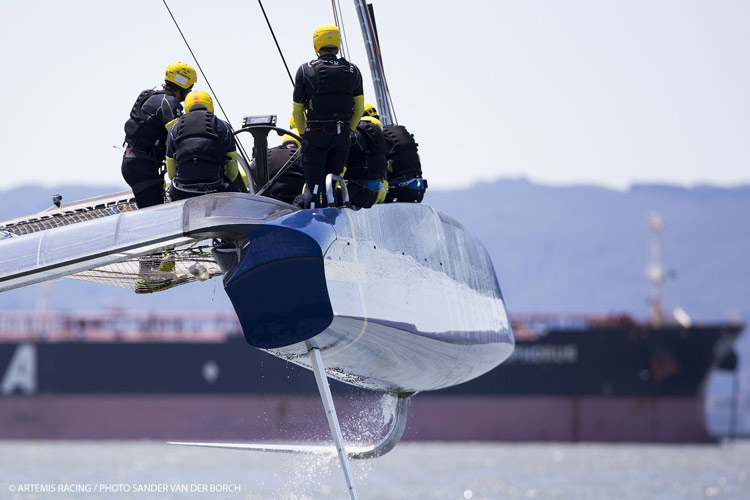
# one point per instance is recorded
(333, 98)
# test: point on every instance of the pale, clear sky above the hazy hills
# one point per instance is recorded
(598, 92)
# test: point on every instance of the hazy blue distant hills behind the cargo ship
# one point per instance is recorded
(555, 249)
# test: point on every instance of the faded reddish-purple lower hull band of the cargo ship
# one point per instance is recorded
(300, 417)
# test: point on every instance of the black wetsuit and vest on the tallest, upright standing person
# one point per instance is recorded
(327, 86)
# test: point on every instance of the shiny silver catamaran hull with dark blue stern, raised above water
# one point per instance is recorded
(398, 298)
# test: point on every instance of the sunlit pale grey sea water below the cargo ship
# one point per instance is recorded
(453, 471)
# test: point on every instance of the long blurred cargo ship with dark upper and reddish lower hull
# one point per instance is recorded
(191, 375)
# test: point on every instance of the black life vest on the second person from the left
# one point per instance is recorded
(199, 153)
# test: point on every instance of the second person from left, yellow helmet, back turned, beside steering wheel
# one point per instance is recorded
(201, 152)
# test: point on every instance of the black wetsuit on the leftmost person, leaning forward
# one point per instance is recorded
(146, 143)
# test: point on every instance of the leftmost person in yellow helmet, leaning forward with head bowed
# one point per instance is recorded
(153, 114)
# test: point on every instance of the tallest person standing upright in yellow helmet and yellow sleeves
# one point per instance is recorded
(328, 102)
